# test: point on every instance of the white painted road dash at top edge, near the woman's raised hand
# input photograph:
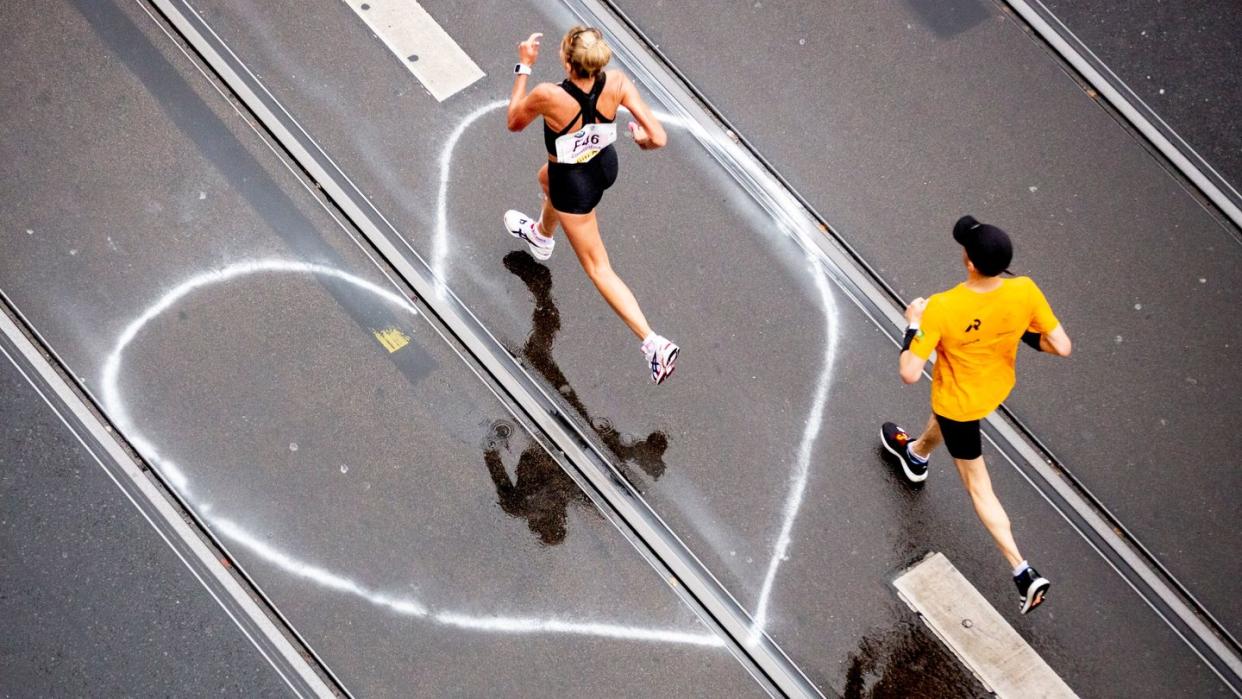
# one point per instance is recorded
(422, 44)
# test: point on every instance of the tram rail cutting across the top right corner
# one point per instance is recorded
(1132, 107)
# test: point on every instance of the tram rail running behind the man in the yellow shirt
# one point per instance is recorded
(1177, 609)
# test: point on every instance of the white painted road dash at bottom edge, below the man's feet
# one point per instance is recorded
(977, 633)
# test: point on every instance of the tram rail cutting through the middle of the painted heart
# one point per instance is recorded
(721, 611)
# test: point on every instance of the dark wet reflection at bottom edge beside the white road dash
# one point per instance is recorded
(907, 662)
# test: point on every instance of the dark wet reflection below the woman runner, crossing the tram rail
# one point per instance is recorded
(542, 491)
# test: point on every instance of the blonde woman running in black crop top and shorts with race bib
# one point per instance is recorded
(579, 133)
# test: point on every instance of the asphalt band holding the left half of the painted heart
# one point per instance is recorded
(367, 491)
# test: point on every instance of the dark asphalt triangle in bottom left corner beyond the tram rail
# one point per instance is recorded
(94, 603)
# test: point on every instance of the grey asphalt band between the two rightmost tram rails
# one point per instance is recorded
(895, 119)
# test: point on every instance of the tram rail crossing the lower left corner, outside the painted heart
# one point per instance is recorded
(255, 625)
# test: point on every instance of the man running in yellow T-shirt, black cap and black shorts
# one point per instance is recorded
(976, 330)
